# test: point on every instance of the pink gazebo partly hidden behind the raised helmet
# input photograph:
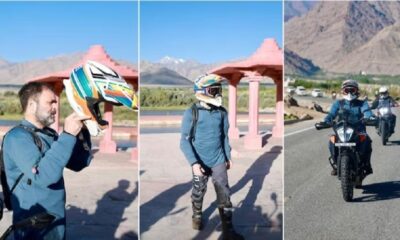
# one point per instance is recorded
(96, 53)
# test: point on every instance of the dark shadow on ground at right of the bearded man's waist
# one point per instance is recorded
(108, 214)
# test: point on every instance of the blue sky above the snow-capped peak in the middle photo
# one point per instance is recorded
(207, 31)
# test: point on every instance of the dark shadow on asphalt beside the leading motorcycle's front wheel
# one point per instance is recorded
(380, 191)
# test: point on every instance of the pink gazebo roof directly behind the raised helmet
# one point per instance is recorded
(96, 53)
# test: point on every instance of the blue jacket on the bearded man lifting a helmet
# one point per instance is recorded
(42, 185)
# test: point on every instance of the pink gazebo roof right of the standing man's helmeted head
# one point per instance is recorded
(266, 61)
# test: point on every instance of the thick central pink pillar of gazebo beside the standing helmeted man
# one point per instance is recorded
(253, 140)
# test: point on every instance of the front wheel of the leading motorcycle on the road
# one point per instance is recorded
(346, 179)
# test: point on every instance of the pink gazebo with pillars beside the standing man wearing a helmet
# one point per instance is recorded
(267, 61)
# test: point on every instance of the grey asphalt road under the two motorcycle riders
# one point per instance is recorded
(314, 207)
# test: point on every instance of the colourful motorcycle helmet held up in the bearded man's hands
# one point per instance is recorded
(93, 83)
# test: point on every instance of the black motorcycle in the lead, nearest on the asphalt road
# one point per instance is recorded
(350, 167)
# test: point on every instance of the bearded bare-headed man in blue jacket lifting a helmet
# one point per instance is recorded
(41, 187)
